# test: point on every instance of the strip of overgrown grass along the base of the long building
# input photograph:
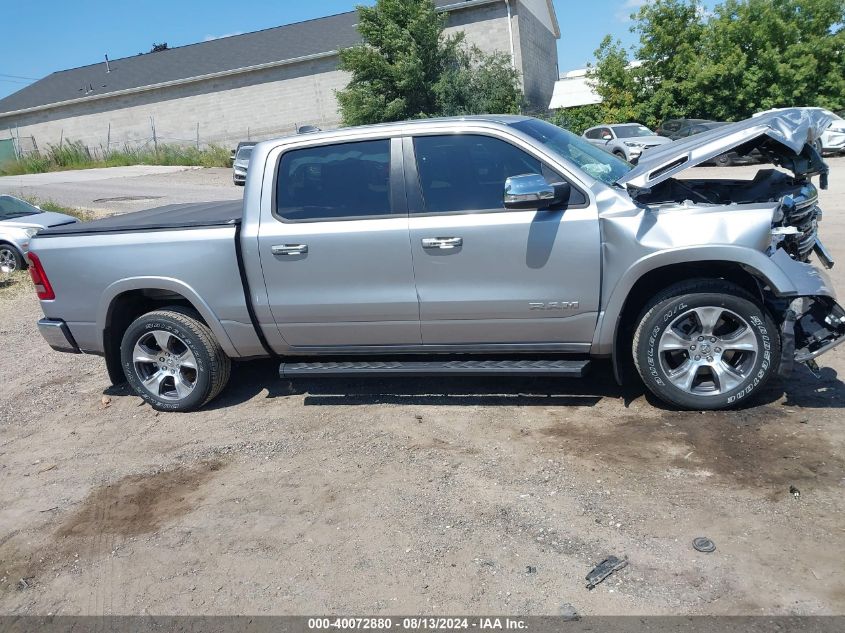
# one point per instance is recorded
(75, 155)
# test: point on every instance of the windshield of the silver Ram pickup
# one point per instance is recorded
(596, 162)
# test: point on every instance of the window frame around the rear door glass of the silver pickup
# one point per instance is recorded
(398, 202)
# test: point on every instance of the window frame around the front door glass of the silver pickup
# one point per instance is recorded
(413, 186)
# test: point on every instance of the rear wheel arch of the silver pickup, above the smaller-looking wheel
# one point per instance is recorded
(126, 300)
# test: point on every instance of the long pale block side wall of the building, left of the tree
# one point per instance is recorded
(261, 104)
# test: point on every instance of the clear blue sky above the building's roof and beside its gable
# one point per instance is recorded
(43, 36)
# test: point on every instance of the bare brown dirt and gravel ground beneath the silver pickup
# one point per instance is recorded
(414, 496)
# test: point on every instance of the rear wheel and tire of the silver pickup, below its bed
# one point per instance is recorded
(184, 333)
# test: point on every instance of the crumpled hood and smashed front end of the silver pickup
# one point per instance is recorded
(811, 321)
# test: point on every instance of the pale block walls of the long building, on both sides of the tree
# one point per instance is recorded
(270, 102)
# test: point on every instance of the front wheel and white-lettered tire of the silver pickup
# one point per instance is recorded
(714, 370)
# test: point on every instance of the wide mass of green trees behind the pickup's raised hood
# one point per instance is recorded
(745, 56)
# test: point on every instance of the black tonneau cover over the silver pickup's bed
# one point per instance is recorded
(172, 216)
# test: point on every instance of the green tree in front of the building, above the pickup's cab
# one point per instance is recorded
(406, 68)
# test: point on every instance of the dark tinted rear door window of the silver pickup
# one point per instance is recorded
(334, 182)
